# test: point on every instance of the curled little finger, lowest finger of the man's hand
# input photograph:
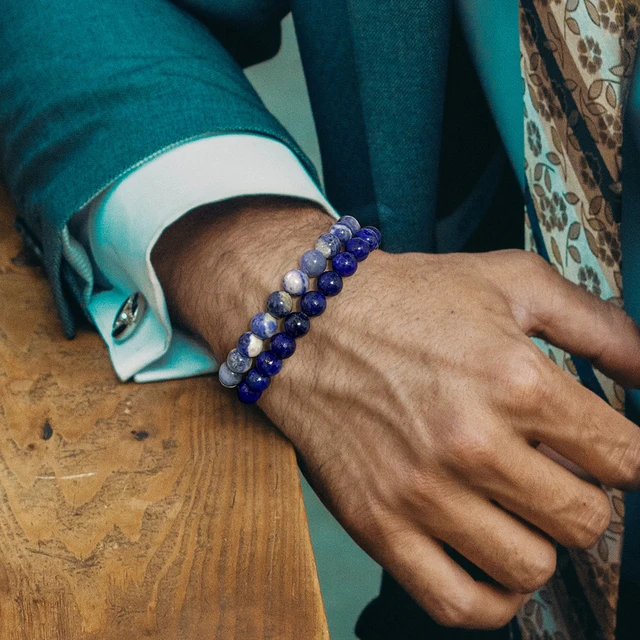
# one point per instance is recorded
(445, 590)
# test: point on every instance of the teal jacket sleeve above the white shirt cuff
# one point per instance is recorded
(89, 90)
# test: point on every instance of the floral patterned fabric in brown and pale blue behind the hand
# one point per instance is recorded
(576, 57)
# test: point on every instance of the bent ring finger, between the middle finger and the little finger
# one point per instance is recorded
(515, 555)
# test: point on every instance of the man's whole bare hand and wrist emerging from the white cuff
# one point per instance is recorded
(417, 400)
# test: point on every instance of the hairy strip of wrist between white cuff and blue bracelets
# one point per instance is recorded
(218, 264)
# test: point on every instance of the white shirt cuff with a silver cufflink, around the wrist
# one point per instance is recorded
(119, 228)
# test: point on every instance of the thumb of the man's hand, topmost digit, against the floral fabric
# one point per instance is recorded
(549, 306)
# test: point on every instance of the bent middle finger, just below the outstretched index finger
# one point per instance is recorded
(572, 511)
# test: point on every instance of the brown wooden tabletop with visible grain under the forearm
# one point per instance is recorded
(162, 511)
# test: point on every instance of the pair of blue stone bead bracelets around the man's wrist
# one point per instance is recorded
(345, 245)
